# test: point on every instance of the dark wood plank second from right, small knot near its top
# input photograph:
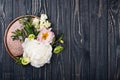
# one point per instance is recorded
(98, 40)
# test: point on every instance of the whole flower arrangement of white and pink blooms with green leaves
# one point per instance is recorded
(38, 41)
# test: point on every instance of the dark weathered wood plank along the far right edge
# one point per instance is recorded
(114, 40)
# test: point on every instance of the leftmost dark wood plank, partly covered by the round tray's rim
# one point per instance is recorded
(7, 67)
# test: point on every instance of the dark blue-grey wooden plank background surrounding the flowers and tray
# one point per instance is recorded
(92, 39)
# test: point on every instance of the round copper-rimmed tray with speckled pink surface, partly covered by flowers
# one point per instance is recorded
(14, 48)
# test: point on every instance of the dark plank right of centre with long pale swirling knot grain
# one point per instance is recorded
(80, 39)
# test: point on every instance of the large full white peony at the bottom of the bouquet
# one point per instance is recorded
(38, 54)
